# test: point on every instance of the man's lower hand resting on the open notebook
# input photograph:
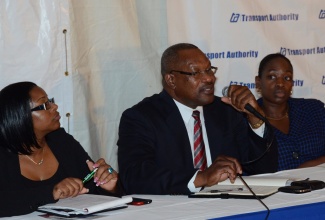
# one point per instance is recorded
(222, 168)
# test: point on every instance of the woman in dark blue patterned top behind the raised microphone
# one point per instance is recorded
(299, 123)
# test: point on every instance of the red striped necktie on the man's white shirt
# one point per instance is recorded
(199, 148)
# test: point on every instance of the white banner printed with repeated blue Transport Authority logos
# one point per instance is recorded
(236, 35)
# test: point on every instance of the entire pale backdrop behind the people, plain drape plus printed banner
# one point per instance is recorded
(108, 59)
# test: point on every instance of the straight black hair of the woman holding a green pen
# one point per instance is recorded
(16, 123)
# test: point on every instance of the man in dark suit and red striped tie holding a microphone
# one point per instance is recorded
(156, 142)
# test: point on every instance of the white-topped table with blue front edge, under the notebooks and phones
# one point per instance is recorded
(282, 205)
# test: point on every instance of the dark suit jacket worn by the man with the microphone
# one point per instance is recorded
(154, 152)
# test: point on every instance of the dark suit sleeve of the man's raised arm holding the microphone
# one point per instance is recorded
(230, 134)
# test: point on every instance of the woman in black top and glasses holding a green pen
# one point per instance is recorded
(40, 163)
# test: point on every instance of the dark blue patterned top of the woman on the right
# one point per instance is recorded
(306, 138)
